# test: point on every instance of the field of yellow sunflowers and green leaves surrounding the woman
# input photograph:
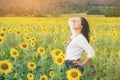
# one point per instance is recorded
(34, 49)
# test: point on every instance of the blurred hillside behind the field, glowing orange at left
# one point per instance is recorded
(46, 8)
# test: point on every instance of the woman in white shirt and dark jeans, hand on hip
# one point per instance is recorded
(78, 43)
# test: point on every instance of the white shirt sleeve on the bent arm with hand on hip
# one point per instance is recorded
(87, 47)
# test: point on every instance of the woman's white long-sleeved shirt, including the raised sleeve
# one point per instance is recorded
(77, 46)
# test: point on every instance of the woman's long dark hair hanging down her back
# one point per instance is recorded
(85, 30)
